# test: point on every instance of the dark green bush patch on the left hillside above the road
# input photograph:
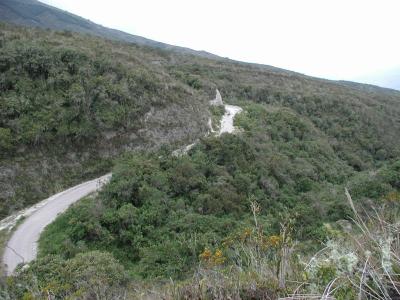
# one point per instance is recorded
(63, 93)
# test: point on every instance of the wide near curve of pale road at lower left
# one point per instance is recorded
(22, 246)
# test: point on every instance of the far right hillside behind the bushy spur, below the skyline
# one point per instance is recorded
(360, 121)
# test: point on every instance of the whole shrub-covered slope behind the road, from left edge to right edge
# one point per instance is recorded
(70, 102)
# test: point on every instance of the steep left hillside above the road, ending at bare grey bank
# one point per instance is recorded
(69, 103)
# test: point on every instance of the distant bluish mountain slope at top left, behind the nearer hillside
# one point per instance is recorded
(35, 13)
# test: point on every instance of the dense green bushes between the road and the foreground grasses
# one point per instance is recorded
(160, 210)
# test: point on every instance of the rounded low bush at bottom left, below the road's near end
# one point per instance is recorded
(92, 275)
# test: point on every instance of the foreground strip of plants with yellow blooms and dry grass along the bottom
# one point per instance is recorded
(359, 260)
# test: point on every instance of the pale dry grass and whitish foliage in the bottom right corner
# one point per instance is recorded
(362, 261)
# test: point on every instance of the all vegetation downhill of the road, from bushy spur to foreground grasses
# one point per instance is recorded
(234, 218)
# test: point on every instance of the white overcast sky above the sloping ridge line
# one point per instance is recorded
(335, 39)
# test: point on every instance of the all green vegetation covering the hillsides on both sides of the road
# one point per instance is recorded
(214, 223)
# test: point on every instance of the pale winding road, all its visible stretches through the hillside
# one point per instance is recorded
(22, 246)
